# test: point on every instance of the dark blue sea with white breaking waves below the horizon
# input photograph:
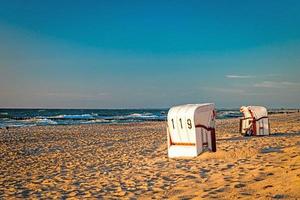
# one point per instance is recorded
(42, 117)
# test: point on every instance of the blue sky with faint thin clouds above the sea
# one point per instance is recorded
(147, 54)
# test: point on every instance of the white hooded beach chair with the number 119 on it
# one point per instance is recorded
(191, 130)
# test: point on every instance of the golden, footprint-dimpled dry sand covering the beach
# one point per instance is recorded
(130, 161)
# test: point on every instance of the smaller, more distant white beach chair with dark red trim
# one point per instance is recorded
(255, 121)
